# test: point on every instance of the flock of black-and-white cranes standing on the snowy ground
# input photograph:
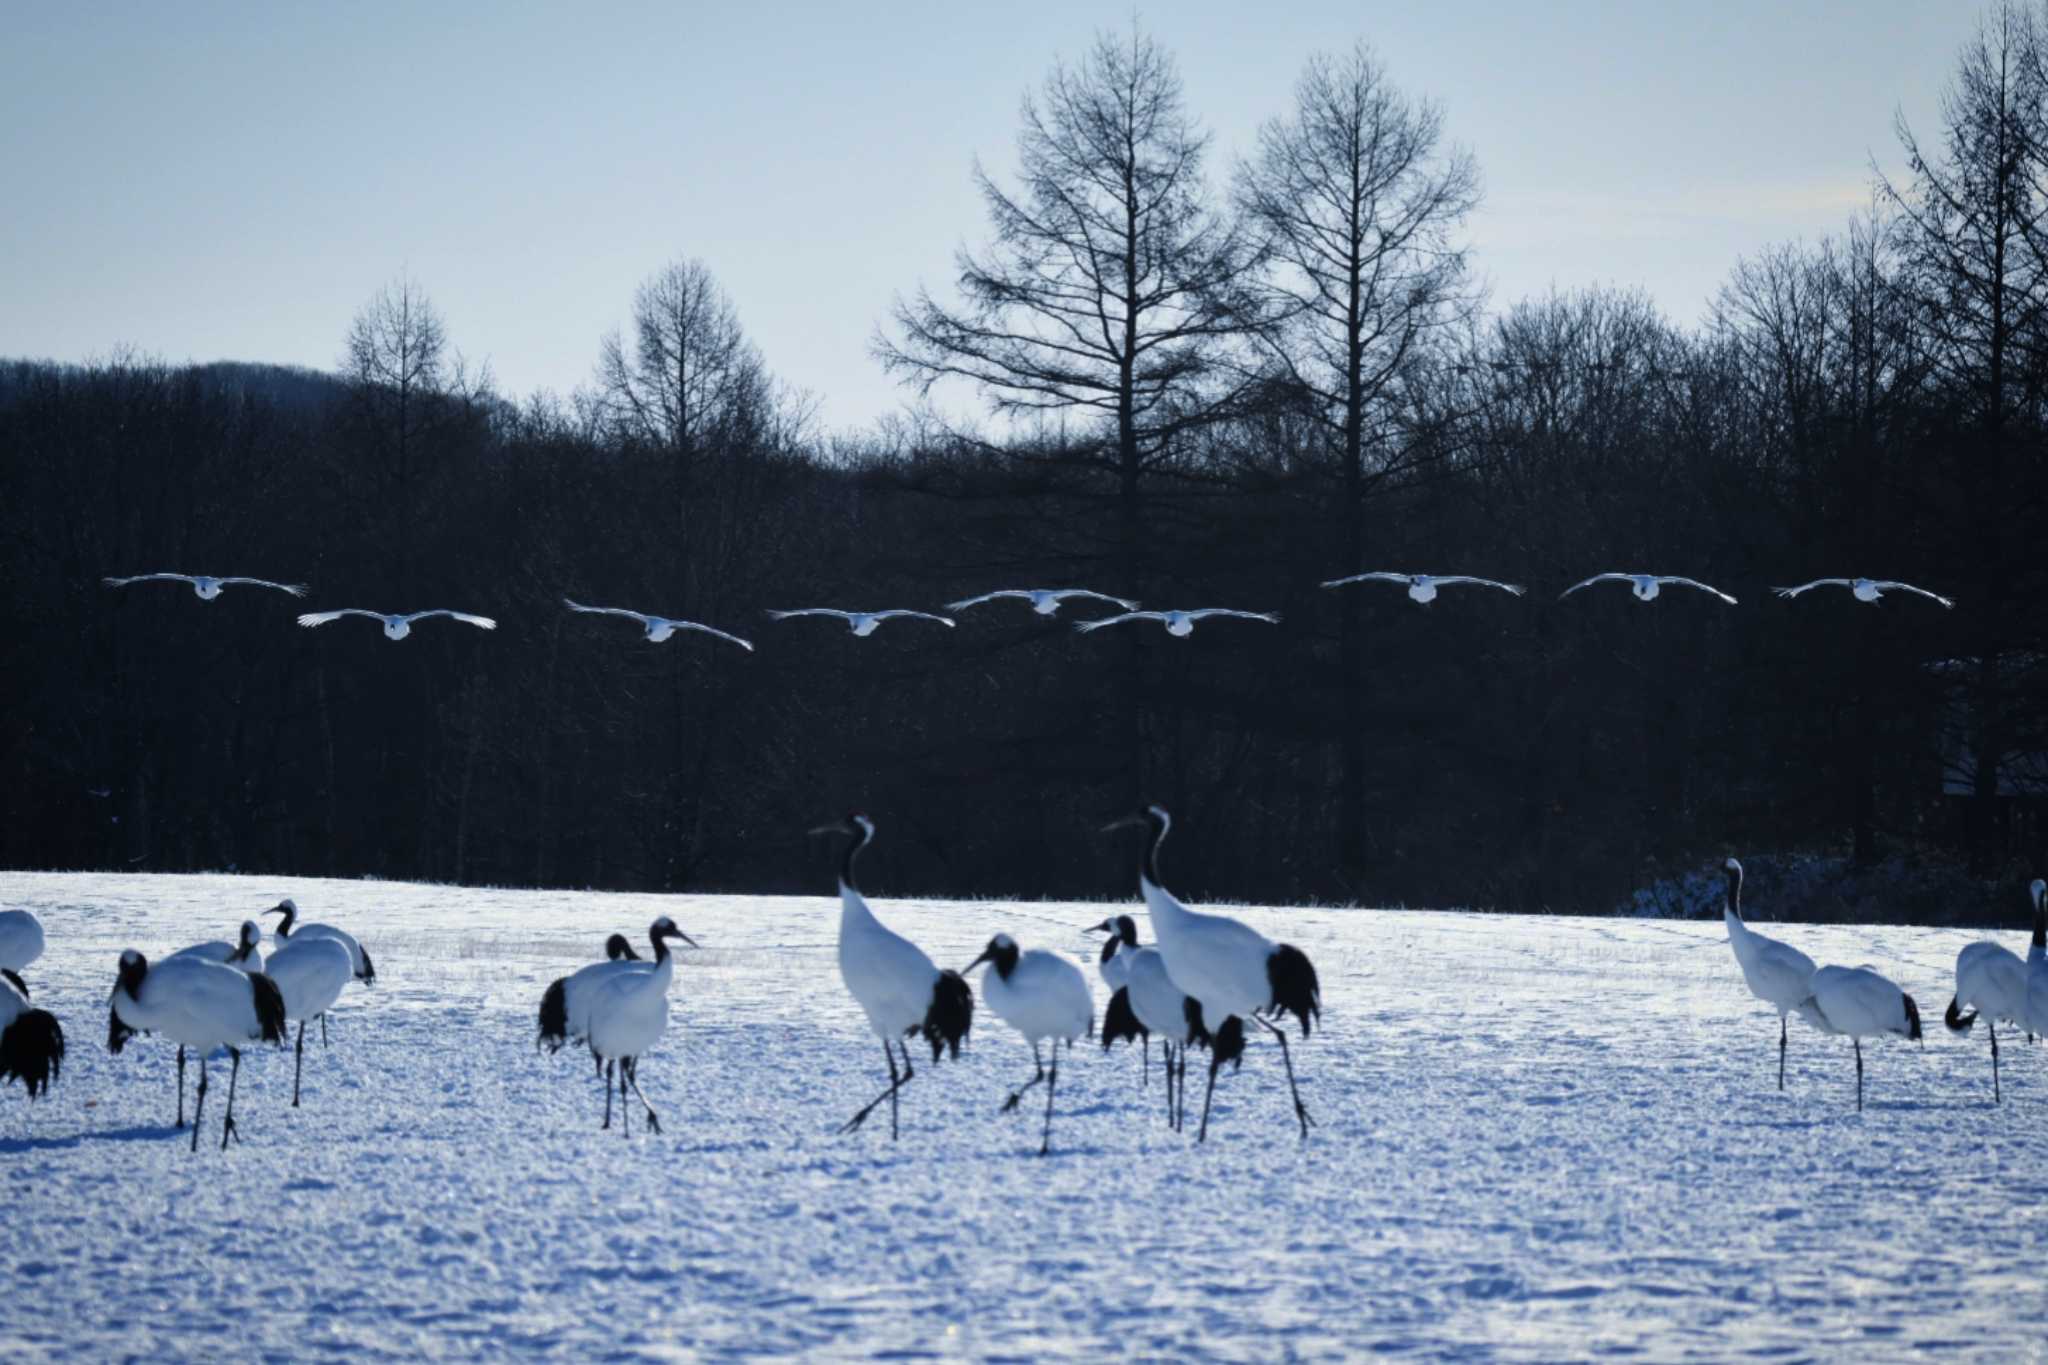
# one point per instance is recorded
(1205, 983)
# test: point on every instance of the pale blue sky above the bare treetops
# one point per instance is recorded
(232, 181)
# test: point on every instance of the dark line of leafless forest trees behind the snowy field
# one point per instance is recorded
(1197, 384)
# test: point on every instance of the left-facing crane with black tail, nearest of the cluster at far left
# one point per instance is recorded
(200, 1006)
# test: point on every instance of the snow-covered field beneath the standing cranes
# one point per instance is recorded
(1539, 1139)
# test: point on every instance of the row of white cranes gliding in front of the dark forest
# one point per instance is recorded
(1181, 623)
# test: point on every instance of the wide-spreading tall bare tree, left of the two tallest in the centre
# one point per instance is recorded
(1111, 281)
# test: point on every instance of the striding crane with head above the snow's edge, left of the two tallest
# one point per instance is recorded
(894, 981)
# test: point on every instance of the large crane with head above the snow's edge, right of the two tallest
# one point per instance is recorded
(1234, 971)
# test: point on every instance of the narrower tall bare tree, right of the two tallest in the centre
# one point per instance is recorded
(1359, 202)
